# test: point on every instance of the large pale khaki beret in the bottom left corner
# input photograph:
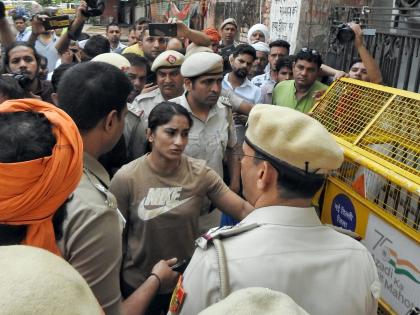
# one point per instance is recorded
(35, 281)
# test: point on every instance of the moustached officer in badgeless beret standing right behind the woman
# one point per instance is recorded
(212, 135)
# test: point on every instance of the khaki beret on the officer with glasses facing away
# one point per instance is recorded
(293, 137)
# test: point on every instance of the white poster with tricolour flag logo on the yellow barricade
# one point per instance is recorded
(397, 259)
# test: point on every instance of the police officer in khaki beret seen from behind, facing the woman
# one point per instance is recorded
(282, 244)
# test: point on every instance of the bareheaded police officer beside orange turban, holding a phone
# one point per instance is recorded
(92, 229)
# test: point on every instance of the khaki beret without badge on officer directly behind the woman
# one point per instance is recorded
(202, 63)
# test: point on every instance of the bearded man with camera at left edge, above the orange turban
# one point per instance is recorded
(21, 60)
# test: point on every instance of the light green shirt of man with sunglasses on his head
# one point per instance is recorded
(284, 94)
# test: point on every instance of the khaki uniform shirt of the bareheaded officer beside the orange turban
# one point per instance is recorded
(92, 235)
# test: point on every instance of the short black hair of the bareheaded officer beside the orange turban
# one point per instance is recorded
(89, 91)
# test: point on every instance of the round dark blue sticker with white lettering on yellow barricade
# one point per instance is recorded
(343, 213)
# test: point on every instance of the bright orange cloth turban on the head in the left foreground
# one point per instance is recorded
(32, 191)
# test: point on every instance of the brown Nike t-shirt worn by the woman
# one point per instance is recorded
(162, 212)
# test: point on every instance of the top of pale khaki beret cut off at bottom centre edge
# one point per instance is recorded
(255, 301)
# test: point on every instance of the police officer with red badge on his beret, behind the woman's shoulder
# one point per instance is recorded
(170, 84)
